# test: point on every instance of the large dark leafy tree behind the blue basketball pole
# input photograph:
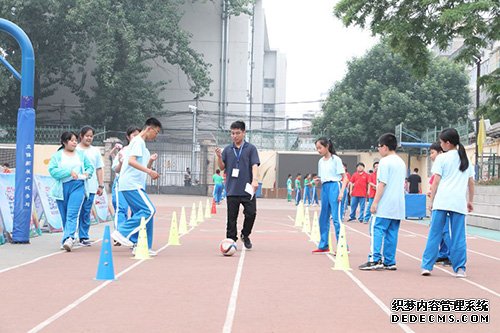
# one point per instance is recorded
(120, 39)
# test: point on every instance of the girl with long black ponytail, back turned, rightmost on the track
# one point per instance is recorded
(452, 193)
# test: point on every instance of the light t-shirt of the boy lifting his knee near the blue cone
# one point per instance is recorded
(130, 177)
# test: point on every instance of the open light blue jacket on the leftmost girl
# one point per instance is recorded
(59, 173)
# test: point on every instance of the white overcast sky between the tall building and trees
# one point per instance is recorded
(316, 44)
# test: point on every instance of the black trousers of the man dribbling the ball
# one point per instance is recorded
(233, 209)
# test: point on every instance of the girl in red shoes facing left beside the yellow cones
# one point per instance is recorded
(331, 174)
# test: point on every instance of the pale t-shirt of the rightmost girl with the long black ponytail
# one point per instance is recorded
(451, 193)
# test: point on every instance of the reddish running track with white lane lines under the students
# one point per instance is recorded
(278, 286)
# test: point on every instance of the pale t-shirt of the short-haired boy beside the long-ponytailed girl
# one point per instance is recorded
(392, 172)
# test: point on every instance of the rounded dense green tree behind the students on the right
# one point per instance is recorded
(379, 92)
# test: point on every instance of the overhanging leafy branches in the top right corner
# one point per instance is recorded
(411, 26)
